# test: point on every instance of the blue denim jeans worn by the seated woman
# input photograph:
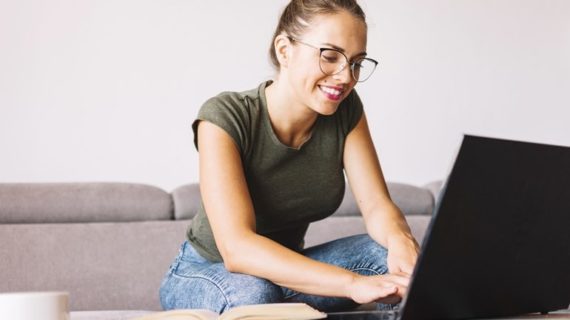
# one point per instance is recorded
(194, 282)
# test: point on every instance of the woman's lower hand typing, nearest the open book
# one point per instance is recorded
(386, 288)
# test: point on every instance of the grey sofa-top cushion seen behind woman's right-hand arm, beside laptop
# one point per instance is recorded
(410, 199)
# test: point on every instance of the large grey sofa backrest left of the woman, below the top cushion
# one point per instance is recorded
(104, 266)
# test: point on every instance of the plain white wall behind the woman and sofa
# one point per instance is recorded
(106, 90)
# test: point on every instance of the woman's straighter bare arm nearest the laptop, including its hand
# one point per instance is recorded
(384, 221)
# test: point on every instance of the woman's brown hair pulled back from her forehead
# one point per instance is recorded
(299, 13)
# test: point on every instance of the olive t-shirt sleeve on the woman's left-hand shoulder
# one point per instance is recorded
(227, 112)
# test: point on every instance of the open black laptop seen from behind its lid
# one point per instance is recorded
(499, 242)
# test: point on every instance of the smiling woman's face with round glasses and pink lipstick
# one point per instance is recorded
(320, 92)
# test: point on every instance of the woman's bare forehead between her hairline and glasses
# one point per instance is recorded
(340, 29)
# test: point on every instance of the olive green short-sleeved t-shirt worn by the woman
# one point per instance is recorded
(289, 187)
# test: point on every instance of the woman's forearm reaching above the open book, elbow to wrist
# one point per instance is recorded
(259, 256)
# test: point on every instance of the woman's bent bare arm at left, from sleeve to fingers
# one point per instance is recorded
(232, 218)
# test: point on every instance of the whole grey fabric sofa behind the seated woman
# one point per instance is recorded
(109, 244)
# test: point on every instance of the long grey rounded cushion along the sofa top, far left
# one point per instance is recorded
(82, 202)
